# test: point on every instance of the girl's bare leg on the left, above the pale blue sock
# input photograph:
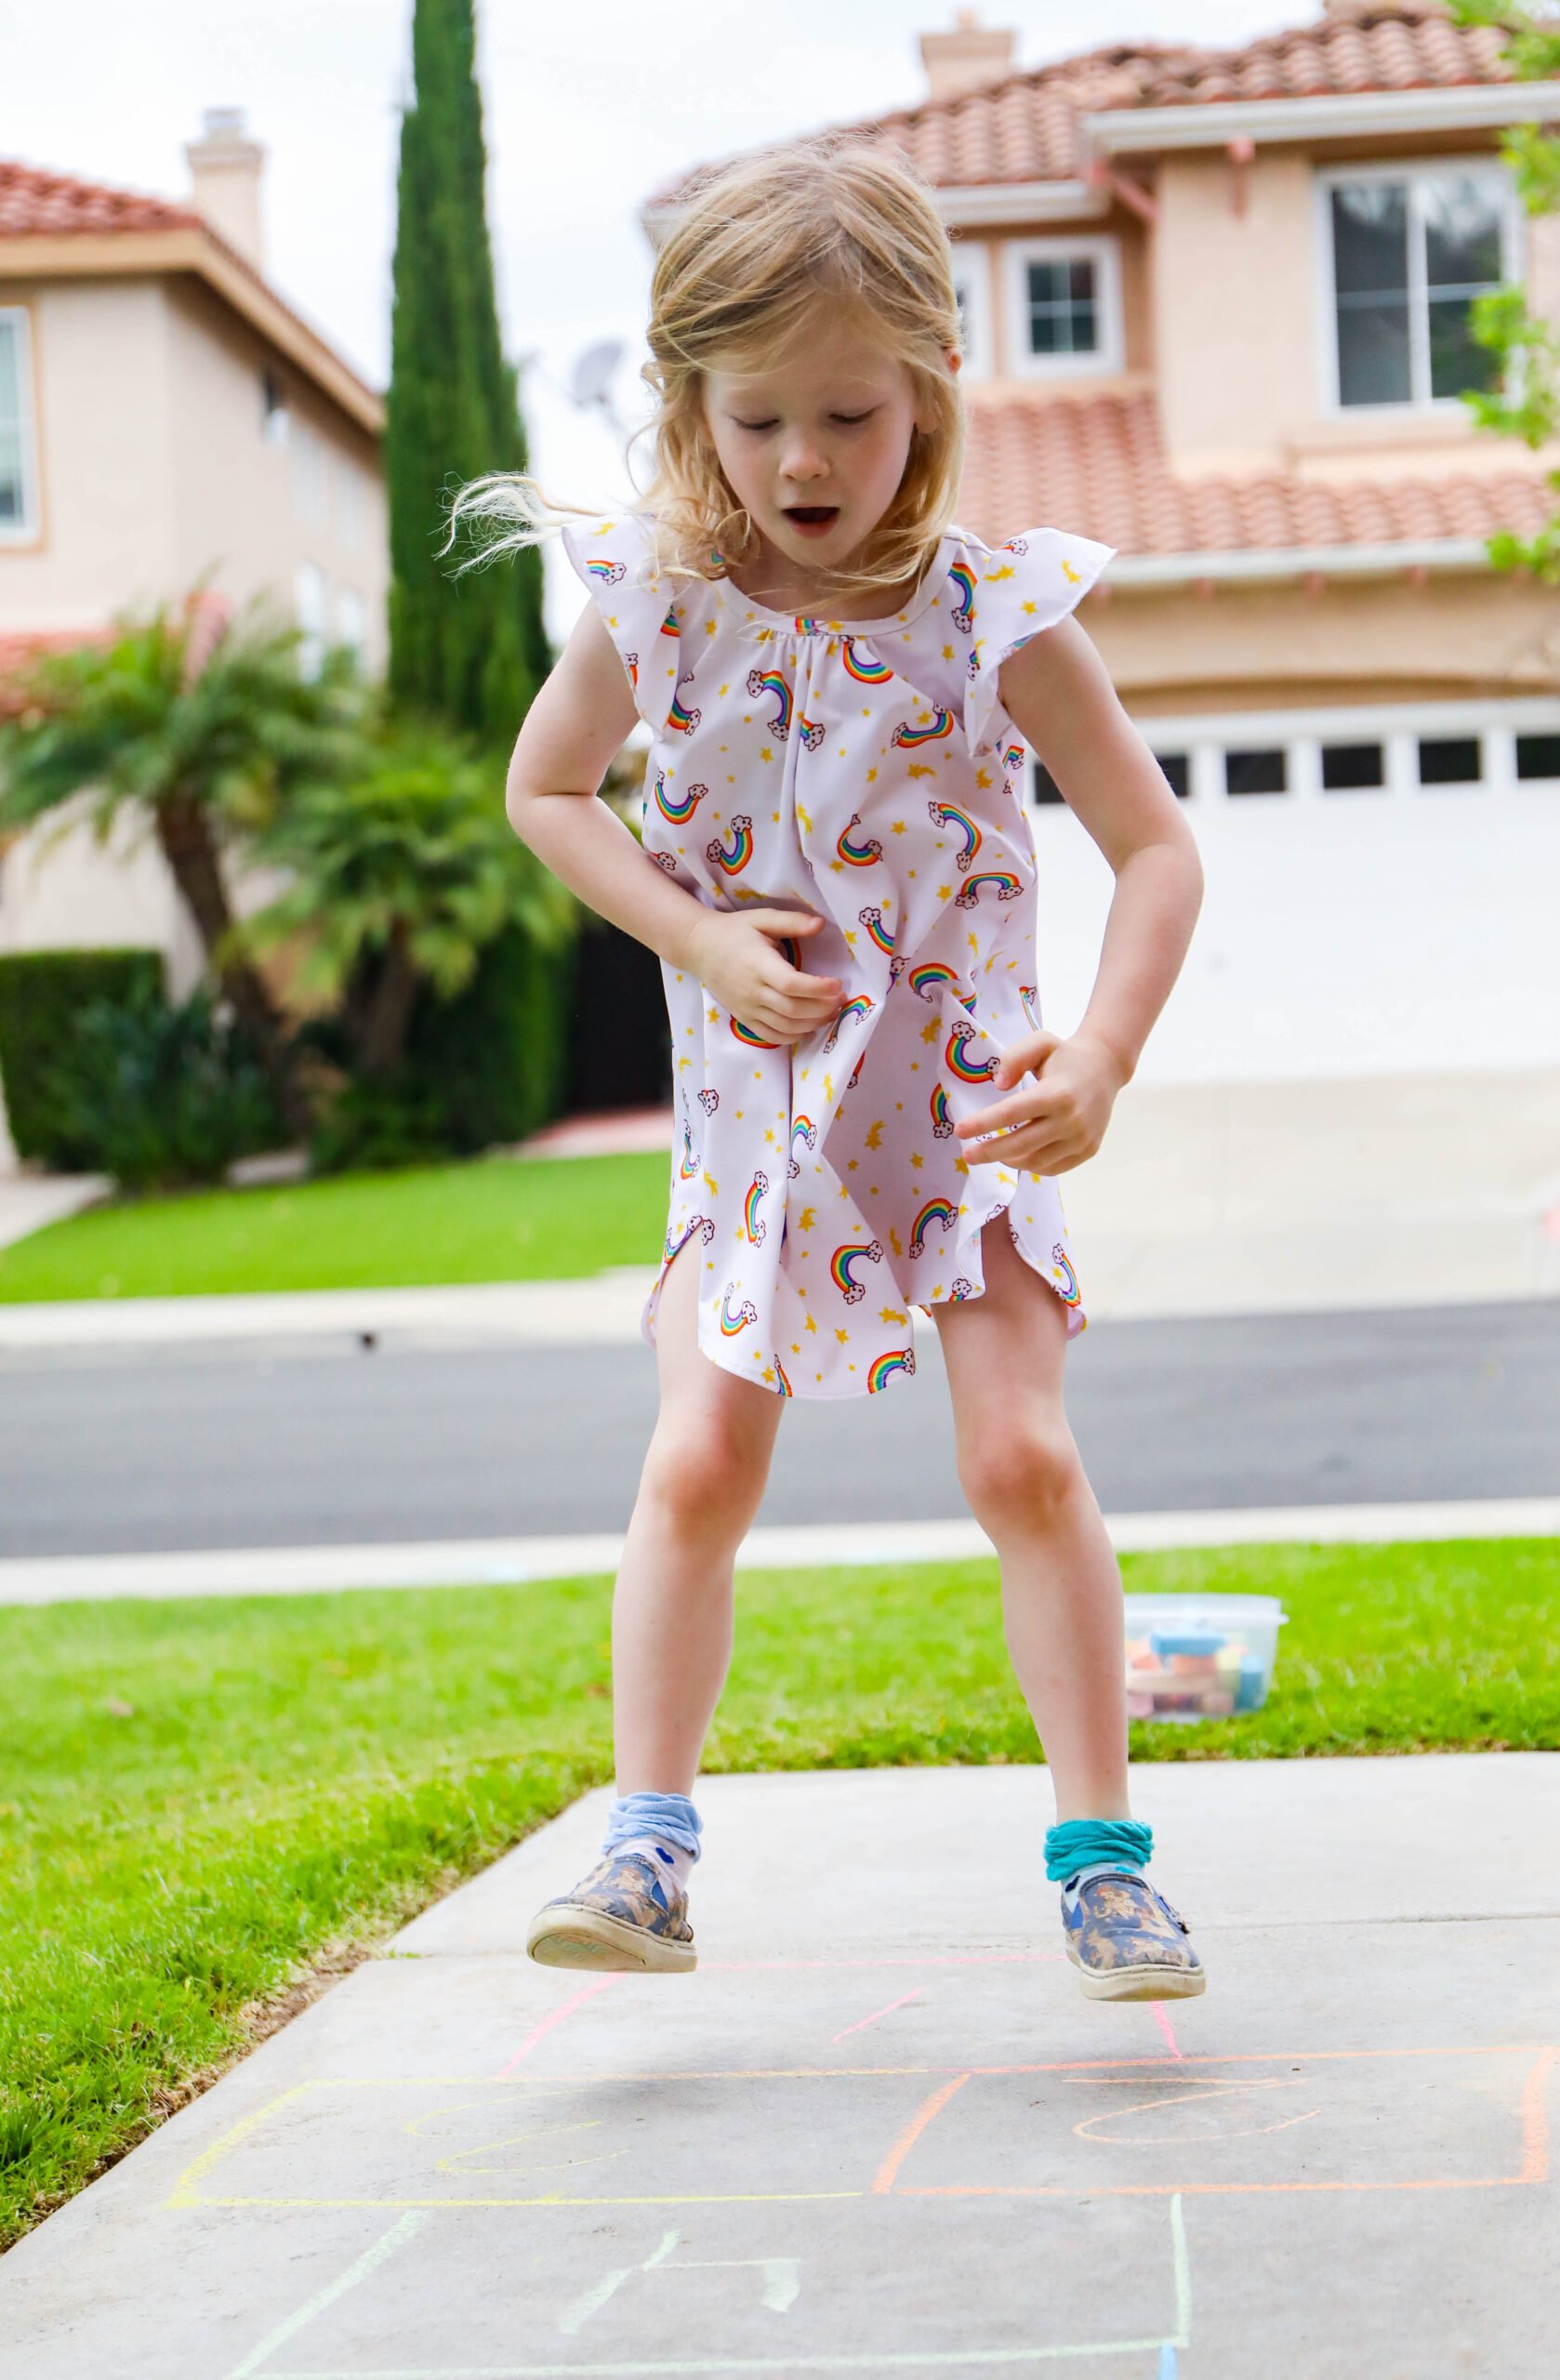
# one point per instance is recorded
(673, 1610)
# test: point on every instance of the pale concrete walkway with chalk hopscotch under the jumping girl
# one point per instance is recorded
(882, 2131)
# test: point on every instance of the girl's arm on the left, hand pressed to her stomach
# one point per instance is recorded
(575, 727)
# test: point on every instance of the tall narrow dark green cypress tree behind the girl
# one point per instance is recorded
(468, 651)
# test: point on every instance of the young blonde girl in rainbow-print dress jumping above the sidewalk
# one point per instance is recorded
(840, 879)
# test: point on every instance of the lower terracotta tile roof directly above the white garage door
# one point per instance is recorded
(1097, 465)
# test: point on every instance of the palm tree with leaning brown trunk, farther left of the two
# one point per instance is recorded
(206, 729)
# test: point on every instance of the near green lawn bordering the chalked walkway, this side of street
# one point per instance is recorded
(204, 1803)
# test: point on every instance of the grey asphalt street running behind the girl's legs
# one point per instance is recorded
(335, 1443)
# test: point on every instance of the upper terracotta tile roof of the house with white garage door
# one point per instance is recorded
(1025, 127)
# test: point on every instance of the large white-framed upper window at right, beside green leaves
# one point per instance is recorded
(1409, 258)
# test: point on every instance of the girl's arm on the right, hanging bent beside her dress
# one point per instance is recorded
(1061, 699)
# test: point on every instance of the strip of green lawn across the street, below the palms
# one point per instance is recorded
(489, 1220)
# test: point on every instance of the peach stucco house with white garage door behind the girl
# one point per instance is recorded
(1216, 313)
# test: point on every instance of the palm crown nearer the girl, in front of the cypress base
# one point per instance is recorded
(399, 879)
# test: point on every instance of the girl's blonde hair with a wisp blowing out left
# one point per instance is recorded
(756, 251)
